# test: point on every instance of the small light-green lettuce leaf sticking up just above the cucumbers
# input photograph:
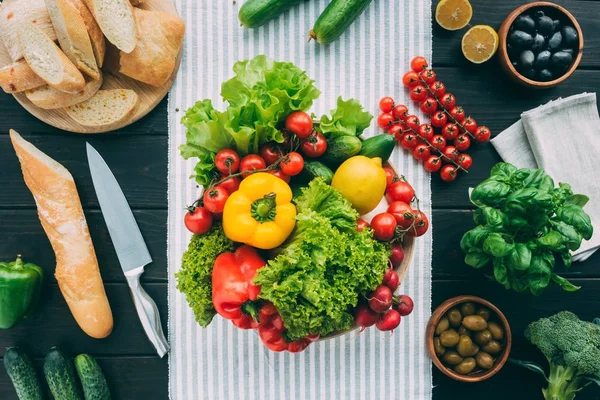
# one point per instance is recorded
(349, 118)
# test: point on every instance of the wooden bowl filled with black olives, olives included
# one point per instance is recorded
(541, 44)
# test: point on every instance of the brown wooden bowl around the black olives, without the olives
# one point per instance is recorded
(505, 61)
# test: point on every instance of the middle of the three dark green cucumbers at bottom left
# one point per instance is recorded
(60, 376)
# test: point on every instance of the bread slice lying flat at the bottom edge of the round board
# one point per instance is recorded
(105, 109)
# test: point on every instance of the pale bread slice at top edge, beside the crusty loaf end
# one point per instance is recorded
(115, 18)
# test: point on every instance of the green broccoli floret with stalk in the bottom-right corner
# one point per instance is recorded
(572, 348)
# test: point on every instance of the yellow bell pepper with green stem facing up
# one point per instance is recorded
(260, 212)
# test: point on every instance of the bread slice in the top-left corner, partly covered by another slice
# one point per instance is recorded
(16, 13)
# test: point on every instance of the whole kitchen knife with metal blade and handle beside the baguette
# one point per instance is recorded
(129, 245)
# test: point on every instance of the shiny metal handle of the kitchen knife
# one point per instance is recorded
(148, 313)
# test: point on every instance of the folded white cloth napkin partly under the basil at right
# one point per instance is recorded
(561, 137)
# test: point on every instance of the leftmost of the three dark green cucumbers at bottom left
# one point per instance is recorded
(21, 372)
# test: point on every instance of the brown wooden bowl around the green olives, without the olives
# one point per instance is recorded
(435, 319)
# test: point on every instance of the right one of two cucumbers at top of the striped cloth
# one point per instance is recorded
(336, 18)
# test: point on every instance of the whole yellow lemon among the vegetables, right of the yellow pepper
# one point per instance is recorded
(362, 181)
